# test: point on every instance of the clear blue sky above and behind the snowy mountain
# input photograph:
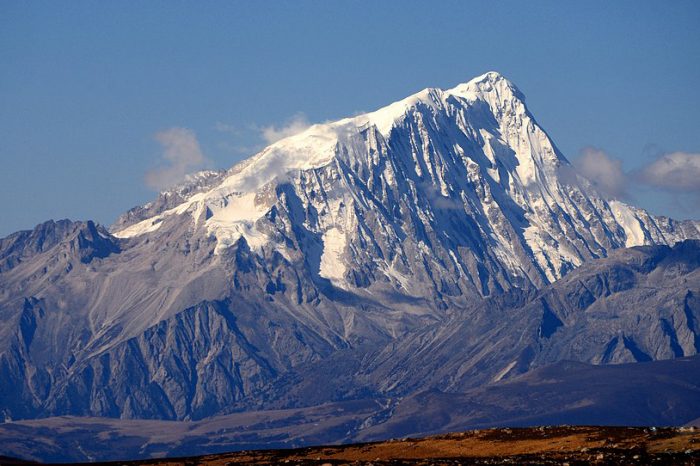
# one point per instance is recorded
(87, 87)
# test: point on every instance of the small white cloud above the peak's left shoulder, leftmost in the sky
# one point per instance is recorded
(181, 155)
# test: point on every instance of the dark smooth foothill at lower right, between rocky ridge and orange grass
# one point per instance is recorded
(665, 393)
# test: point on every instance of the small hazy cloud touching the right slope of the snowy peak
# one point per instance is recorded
(603, 171)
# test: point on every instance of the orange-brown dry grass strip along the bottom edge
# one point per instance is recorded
(529, 446)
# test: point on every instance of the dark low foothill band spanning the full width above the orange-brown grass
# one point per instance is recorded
(666, 394)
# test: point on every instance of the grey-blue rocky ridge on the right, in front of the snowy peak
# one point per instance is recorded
(636, 305)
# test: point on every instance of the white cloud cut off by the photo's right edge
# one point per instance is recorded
(676, 172)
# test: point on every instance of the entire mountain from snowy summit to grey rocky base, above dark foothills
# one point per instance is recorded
(433, 243)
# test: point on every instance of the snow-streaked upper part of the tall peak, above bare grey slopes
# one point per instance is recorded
(463, 180)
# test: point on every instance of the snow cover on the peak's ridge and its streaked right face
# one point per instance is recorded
(517, 156)
